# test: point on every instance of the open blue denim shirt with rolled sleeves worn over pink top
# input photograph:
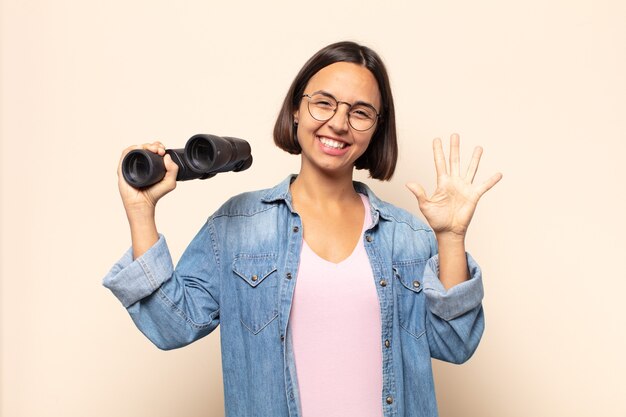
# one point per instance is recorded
(240, 272)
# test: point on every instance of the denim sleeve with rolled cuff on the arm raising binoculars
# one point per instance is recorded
(171, 306)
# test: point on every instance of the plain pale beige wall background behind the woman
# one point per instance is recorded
(540, 84)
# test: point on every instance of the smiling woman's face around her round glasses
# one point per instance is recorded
(333, 146)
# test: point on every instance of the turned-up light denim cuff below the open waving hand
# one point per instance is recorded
(458, 300)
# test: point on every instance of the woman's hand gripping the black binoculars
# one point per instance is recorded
(144, 200)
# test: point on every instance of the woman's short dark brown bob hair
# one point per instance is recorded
(382, 153)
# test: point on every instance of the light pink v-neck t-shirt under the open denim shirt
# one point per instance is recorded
(336, 334)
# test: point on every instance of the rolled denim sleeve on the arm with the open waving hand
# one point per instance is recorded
(455, 319)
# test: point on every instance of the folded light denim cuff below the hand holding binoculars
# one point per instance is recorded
(130, 281)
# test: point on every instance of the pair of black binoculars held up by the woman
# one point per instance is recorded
(202, 157)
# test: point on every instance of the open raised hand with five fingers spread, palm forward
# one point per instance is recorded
(451, 207)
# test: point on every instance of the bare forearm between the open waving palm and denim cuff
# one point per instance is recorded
(452, 260)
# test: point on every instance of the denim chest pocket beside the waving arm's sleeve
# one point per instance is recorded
(410, 297)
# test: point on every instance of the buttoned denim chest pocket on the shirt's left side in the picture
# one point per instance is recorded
(257, 290)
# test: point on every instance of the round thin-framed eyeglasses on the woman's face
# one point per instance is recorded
(323, 106)
